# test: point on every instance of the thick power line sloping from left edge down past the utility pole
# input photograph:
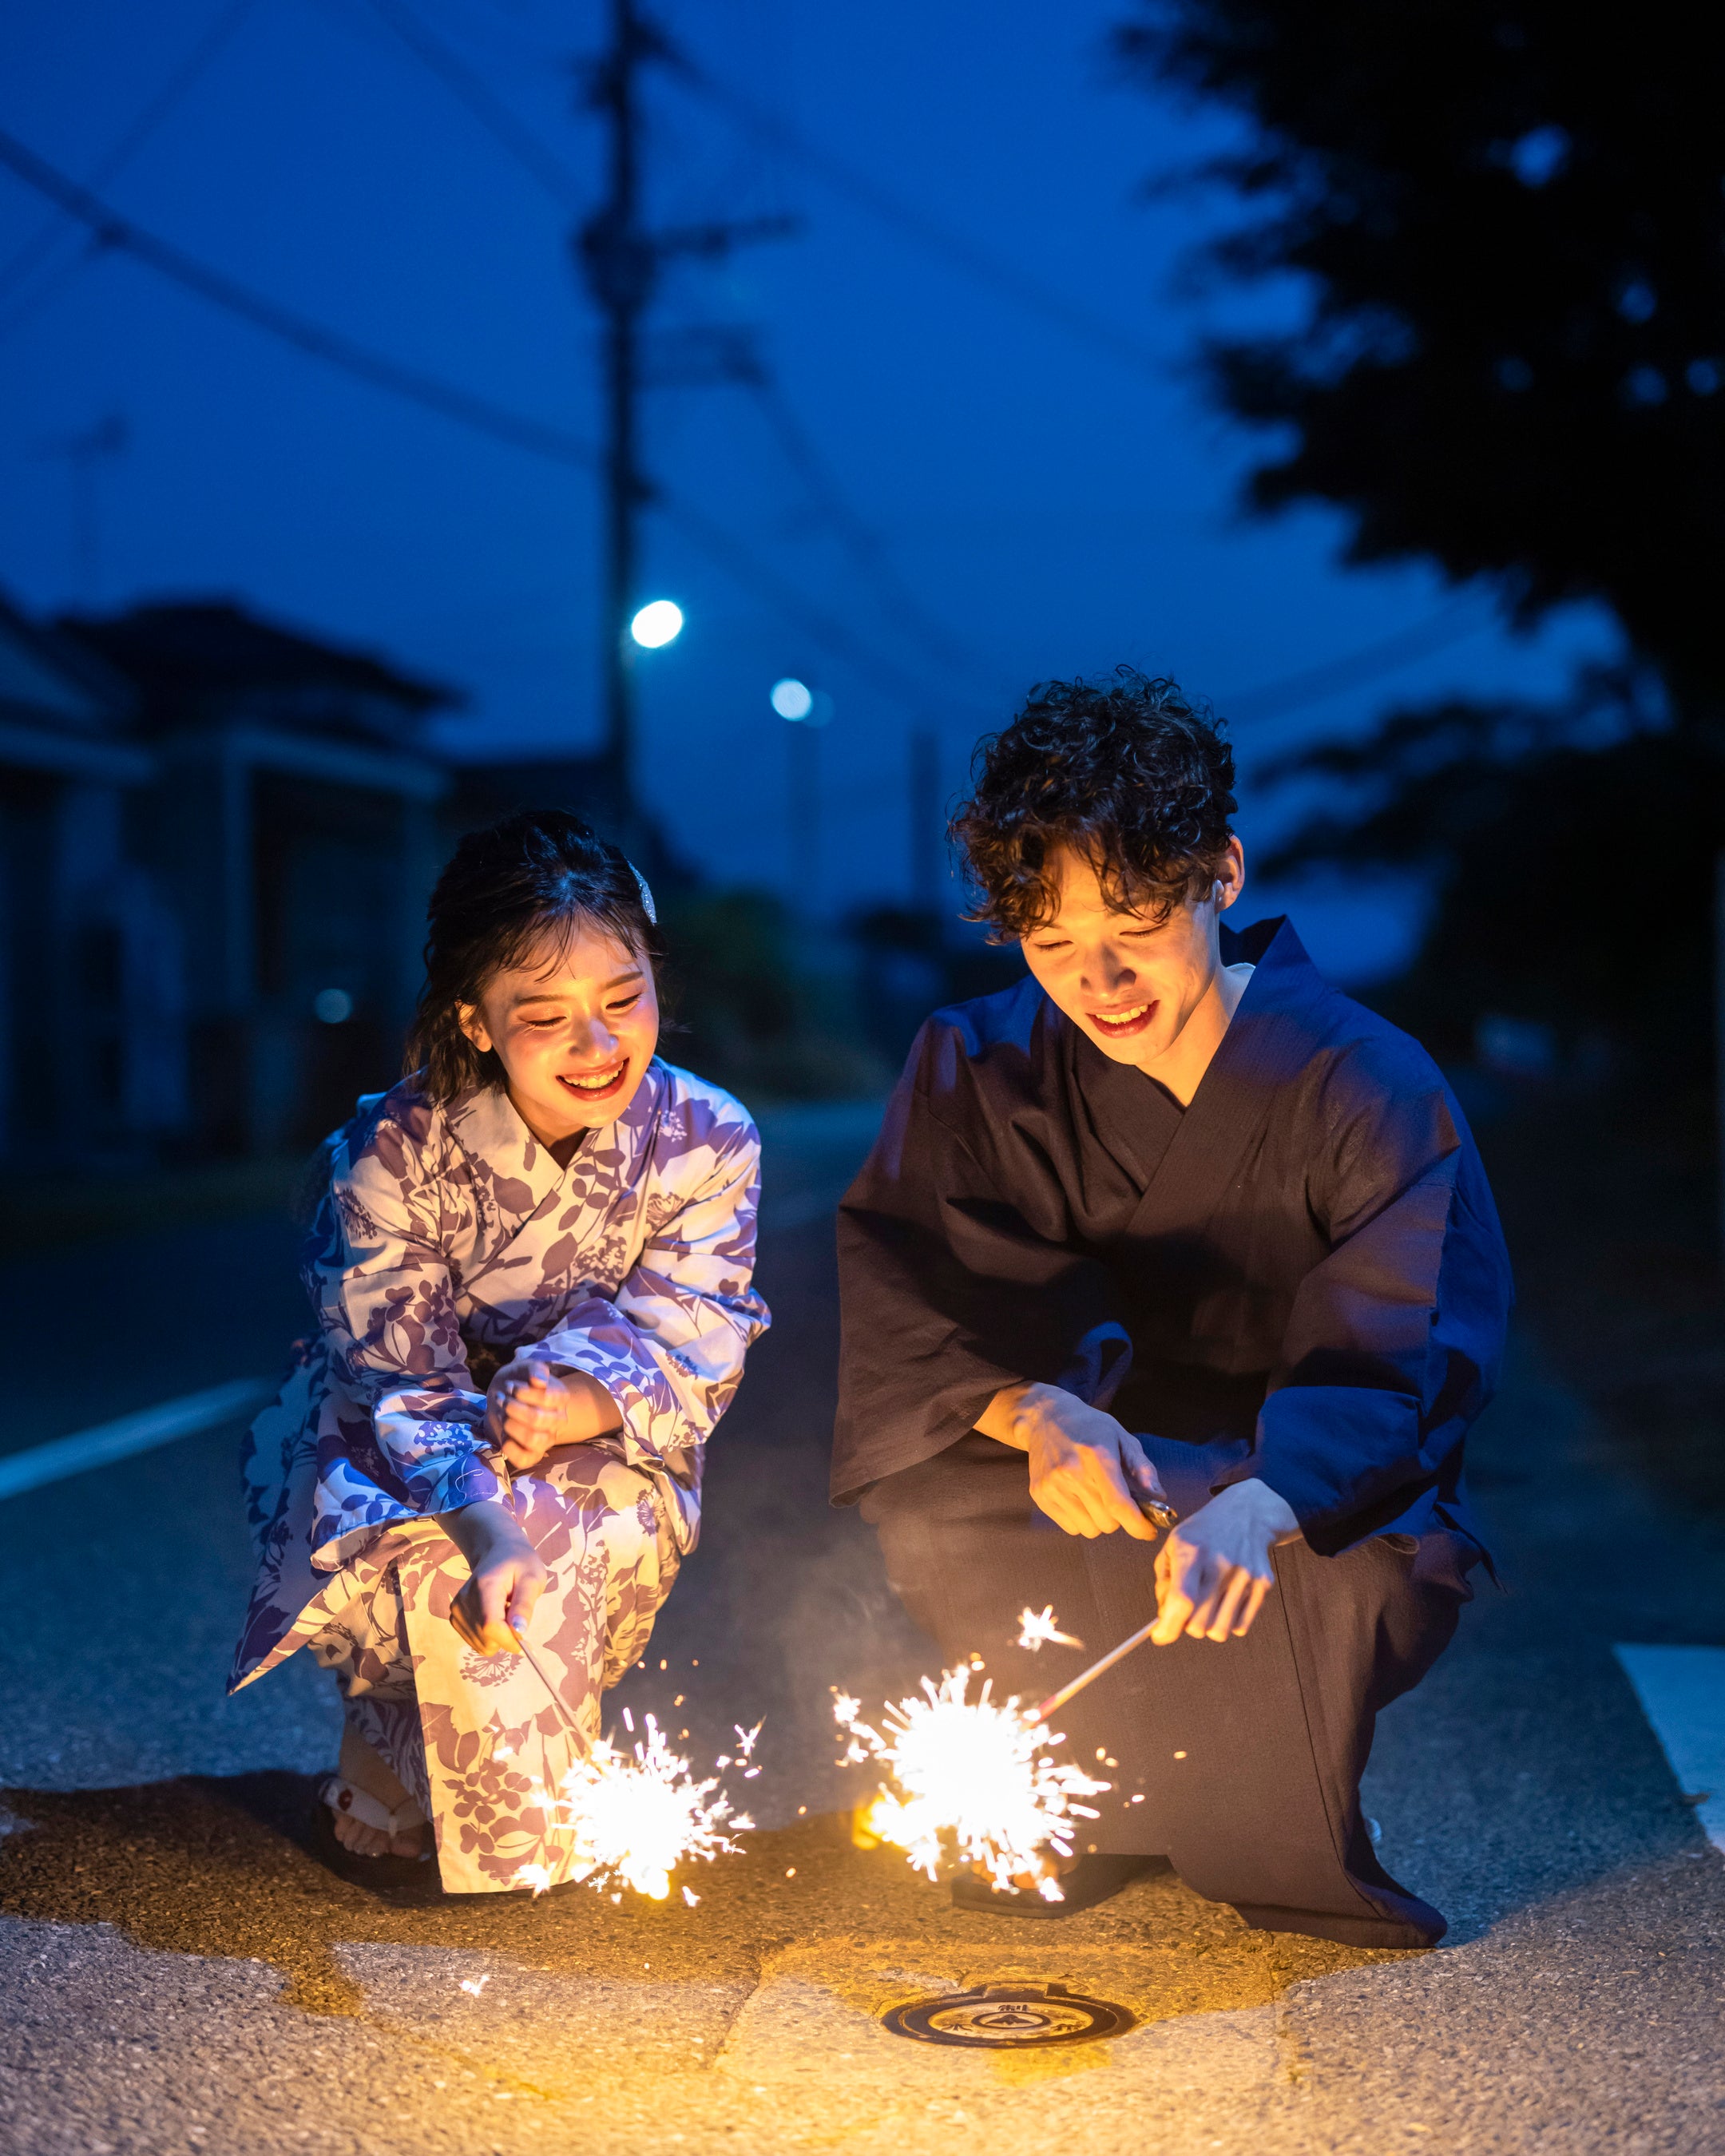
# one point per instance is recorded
(441, 398)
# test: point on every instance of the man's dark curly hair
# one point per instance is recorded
(1124, 771)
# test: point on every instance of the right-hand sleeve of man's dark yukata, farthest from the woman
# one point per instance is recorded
(1396, 1338)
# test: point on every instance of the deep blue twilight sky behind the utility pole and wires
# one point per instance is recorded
(1047, 490)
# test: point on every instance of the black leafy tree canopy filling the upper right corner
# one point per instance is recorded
(1510, 219)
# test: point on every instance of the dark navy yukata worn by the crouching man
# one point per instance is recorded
(1299, 1277)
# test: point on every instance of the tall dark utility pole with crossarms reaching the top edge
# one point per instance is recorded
(622, 264)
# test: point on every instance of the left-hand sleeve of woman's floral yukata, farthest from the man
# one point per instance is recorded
(389, 1318)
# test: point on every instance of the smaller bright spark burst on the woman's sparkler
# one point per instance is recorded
(637, 1816)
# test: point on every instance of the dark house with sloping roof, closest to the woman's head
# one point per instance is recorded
(290, 820)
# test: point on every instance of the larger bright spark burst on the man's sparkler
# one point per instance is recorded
(969, 1780)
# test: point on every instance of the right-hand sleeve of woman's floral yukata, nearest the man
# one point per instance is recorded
(670, 1344)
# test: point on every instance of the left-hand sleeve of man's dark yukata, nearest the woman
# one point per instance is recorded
(956, 1280)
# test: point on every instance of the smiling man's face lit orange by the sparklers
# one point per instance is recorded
(1127, 980)
